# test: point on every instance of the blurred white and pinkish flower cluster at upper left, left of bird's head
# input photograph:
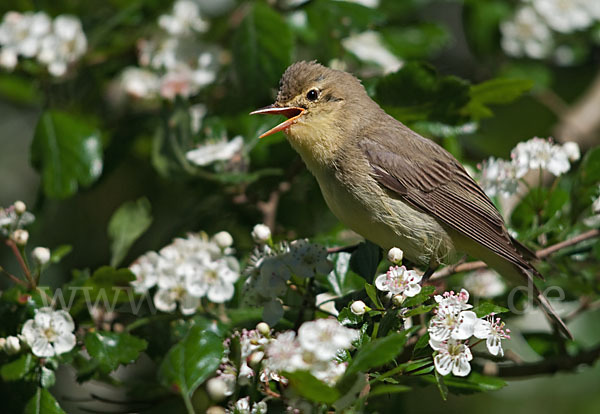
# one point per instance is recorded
(174, 63)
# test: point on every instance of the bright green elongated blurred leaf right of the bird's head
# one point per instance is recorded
(495, 91)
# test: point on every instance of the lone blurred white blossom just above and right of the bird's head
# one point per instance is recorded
(368, 46)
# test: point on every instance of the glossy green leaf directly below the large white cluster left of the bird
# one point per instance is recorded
(192, 361)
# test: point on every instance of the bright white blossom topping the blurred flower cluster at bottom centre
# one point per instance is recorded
(325, 337)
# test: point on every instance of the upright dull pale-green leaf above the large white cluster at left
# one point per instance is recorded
(128, 223)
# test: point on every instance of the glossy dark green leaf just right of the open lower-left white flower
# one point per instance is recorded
(110, 349)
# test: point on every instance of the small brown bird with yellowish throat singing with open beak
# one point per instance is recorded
(388, 183)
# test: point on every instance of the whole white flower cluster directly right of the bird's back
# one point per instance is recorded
(501, 177)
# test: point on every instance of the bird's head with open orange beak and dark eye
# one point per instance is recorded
(321, 104)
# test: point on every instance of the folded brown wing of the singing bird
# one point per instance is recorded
(439, 185)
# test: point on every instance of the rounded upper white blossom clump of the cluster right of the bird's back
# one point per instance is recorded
(538, 153)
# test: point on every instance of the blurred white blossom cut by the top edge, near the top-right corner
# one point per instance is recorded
(565, 16)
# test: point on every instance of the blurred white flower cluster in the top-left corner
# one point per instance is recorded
(55, 43)
